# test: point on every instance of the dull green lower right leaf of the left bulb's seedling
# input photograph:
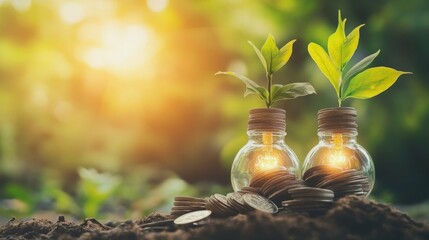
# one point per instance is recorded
(290, 91)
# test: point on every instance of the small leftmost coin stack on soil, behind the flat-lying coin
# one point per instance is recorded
(183, 205)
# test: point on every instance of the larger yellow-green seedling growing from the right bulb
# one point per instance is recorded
(356, 82)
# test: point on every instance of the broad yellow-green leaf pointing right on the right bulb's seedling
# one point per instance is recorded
(372, 82)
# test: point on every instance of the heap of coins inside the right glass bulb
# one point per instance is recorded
(342, 182)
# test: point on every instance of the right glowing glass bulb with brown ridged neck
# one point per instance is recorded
(339, 152)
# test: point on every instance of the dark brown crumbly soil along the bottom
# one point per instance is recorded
(351, 218)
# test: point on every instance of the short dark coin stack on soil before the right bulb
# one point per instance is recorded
(309, 200)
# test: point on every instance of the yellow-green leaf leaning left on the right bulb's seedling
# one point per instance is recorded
(325, 64)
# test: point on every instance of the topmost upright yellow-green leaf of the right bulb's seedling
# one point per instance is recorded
(336, 41)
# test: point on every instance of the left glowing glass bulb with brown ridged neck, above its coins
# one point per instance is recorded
(265, 150)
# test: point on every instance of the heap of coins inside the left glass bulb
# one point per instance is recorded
(275, 183)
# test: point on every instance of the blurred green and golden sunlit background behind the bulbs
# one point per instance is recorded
(111, 108)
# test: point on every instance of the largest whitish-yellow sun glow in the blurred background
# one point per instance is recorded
(121, 47)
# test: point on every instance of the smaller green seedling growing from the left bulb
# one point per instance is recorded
(273, 58)
